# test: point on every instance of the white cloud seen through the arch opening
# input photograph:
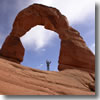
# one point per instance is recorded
(37, 38)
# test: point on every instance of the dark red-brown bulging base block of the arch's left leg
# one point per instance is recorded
(12, 49)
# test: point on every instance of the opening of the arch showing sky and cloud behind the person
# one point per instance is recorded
(40, 45)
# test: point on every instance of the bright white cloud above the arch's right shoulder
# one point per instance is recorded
(77, 10)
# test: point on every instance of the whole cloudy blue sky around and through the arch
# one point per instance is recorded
(41, 44)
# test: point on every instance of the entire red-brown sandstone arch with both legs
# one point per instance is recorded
(73, 53)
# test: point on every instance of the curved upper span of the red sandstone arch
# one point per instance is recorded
(37, 14)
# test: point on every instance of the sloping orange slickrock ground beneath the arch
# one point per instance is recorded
(16, 79)
